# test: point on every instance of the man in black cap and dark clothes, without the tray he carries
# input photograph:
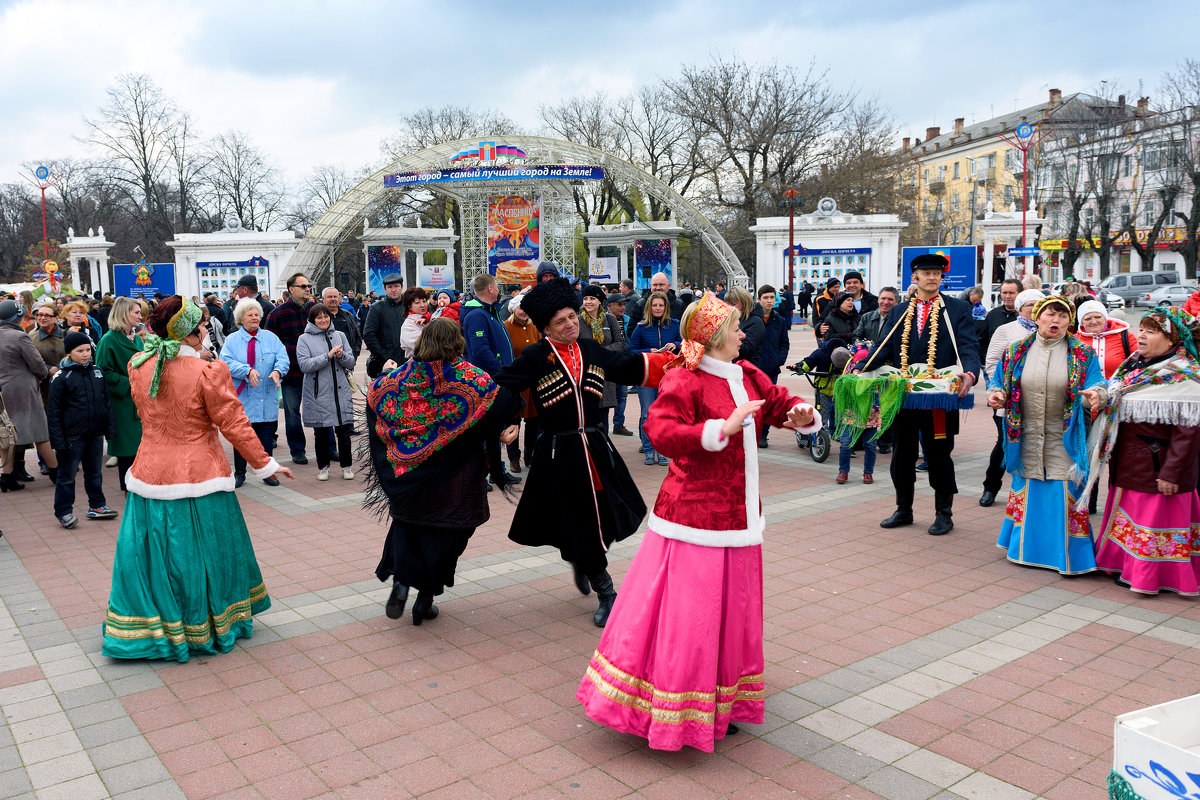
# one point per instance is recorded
(937, 429)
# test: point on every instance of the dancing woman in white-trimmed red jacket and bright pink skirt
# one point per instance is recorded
(681, 659)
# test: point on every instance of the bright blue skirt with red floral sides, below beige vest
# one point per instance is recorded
(1042, 527)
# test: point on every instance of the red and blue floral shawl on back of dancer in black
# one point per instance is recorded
(424, 406)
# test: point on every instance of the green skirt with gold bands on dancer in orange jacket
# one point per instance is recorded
(185, 579)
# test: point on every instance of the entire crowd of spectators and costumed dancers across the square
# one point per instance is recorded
(453, 380)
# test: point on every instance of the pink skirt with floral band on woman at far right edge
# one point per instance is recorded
(1153, 542)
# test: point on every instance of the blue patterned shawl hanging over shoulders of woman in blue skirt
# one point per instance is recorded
(1081, 360)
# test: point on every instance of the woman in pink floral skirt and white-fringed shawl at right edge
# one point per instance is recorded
(1150, 538)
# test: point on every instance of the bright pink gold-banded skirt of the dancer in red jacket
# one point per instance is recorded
(682, 657)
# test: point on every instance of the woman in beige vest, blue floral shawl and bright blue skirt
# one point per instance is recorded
(1047, 383)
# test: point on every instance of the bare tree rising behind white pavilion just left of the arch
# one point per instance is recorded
(243, 182)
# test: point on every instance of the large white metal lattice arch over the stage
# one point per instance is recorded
(345, 218)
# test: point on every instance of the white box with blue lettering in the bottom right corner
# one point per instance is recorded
(1157, 750)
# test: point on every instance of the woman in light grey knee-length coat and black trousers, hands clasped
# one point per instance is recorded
(325, 357)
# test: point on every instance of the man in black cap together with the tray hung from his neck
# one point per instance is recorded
(935, 330)
